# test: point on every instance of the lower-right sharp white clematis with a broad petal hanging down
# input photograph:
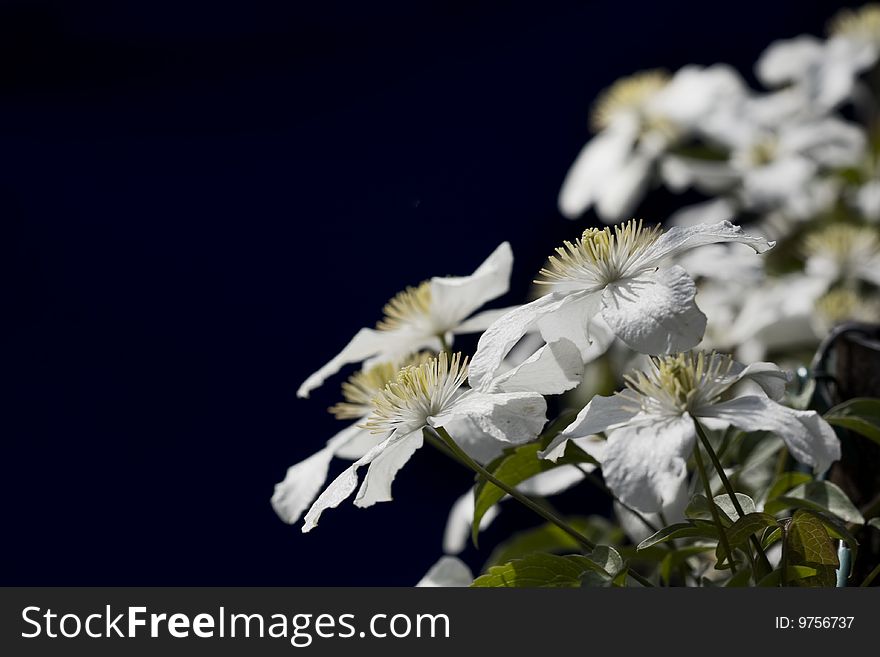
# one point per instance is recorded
(650, 424)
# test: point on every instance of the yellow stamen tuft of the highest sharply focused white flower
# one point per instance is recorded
(600, 256)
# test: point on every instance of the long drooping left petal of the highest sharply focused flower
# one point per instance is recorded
(499, 339)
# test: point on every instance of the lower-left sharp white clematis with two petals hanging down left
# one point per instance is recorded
(431, 395)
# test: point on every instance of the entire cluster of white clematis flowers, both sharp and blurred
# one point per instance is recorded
(667, 315)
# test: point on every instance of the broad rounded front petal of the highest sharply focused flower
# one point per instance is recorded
(655, 313)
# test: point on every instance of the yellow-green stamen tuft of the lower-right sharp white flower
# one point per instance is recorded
(681, 382)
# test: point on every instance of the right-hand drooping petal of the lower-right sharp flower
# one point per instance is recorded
(808, 437)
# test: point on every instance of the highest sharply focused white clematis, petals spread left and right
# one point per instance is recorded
(621, 276)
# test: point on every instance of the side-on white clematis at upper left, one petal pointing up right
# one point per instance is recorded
(420, 317)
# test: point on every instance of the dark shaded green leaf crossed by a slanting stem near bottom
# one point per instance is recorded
(550, 538)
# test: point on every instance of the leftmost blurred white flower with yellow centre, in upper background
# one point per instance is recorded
(636, 121)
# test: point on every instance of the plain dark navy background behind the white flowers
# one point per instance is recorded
(201, 202)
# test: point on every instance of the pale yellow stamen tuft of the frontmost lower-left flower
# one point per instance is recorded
(416, 393)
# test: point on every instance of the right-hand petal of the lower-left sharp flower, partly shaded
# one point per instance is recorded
(512, 417)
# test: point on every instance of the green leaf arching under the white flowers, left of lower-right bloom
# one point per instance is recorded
(514, 466)
